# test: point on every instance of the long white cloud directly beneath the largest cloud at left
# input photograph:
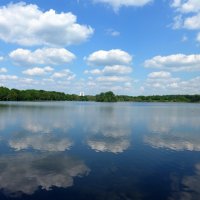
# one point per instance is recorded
(45, 56)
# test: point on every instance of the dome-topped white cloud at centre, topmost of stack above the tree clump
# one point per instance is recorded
(112, 57)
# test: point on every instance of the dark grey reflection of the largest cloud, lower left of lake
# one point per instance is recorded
(28, 172)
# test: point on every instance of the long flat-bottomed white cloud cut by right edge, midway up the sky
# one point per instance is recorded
(177, 62)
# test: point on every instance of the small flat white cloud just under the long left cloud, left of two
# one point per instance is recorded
(37, 71)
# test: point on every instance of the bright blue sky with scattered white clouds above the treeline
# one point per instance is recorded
(132, 47)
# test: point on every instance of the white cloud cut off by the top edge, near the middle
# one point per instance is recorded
(117, 4)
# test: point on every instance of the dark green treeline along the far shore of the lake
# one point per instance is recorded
(41, 95)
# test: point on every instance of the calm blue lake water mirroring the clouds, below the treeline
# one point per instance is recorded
(100, 151)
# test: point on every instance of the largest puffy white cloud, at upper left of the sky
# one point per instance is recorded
(26, 24)
